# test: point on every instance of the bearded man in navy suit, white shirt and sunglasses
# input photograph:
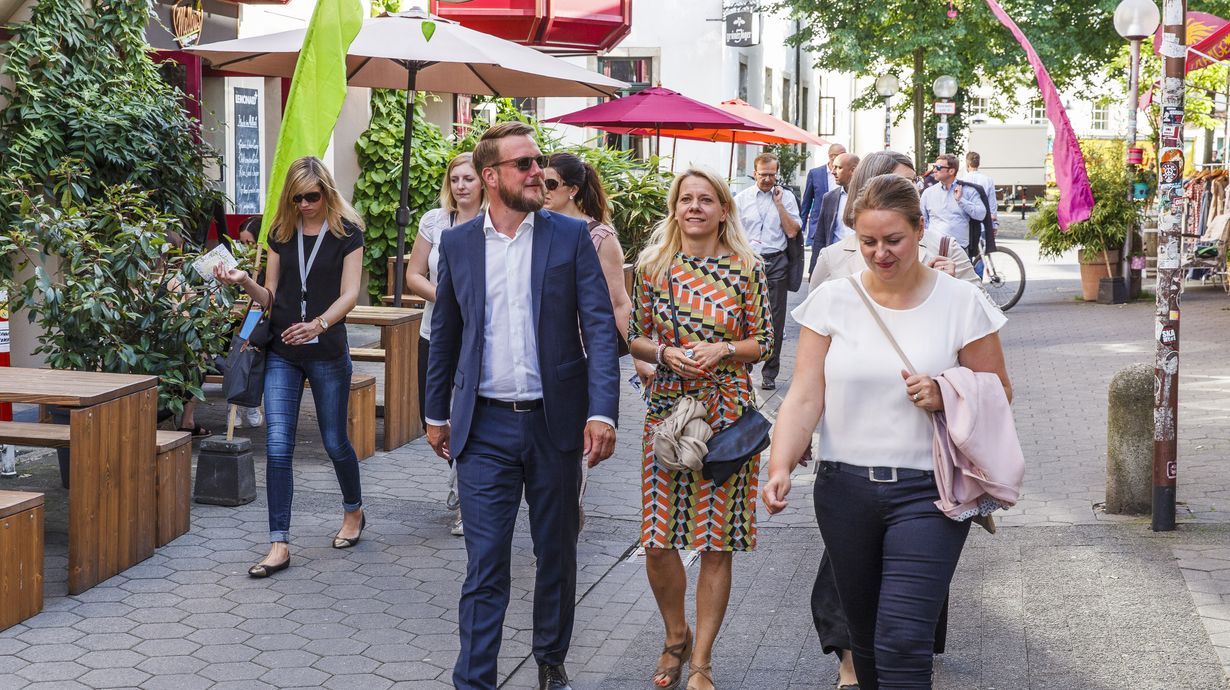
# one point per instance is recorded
(520, 397)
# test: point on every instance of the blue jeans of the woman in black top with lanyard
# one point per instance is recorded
(284, 393)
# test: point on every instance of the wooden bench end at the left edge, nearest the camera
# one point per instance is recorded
(22, 557)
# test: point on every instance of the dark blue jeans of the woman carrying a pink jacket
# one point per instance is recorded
(894, 558)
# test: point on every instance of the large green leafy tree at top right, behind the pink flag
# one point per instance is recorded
(917, 41)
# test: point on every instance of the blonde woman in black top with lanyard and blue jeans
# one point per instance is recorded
(317, 260)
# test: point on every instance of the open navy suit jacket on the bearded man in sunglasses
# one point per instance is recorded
(579, 366)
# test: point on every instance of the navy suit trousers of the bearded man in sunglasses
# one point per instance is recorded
(509, 453)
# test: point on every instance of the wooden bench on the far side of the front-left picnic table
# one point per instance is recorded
(173, 470)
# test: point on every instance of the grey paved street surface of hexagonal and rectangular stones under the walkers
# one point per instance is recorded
(1063, 597)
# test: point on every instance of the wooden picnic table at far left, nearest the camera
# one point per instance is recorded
(113, 495)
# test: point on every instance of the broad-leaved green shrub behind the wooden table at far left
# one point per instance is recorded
(124, 299)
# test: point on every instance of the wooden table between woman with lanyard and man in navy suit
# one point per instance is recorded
(399, 339)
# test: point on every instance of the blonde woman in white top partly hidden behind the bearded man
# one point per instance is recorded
(462, 199)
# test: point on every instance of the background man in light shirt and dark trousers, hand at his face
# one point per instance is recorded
(771, 218)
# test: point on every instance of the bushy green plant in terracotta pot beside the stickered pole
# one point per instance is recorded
(1099, 240)
